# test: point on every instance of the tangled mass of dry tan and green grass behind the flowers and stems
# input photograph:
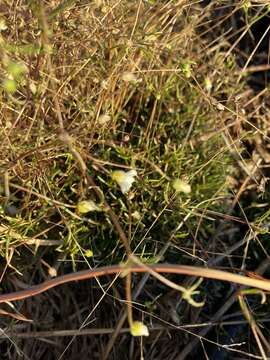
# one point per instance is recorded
(174, 89)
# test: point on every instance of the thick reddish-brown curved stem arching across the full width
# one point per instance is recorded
(158, 268)
